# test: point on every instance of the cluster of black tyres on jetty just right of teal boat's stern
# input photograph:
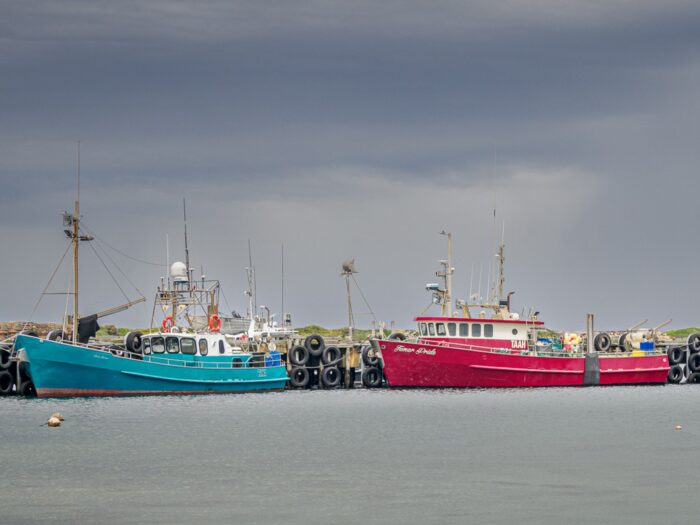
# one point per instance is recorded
(314, 364)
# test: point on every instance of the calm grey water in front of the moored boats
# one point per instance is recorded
(597, 455)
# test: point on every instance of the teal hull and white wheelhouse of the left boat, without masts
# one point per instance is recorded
(160, 363)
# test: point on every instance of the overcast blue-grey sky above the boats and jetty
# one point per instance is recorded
(359, 129)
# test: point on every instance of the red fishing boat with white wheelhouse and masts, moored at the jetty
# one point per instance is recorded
(504, 350)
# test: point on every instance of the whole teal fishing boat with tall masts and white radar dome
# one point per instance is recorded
(177, 359)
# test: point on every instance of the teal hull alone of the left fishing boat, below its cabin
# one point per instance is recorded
(63, 370)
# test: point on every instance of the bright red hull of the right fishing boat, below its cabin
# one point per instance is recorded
(426, 364)
